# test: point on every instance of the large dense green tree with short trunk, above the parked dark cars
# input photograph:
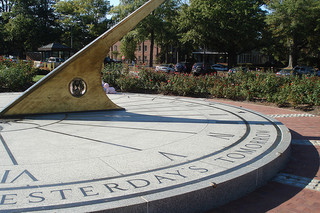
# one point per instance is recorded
(232, 26)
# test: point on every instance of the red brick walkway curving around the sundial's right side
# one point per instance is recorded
(297, 188)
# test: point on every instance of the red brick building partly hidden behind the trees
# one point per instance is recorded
(142, 52)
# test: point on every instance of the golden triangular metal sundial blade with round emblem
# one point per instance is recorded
(76, 85)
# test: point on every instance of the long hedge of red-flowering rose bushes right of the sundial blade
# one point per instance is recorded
(251, 86)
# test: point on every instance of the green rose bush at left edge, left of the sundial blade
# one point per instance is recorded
(15, 76)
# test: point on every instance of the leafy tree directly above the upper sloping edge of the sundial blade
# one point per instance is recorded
(83, 20)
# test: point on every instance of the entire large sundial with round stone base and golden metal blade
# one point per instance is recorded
(66, 147)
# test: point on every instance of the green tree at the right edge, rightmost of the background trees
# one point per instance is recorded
(295, 26)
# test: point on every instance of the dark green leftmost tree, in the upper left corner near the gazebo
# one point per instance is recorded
(28, 24)
